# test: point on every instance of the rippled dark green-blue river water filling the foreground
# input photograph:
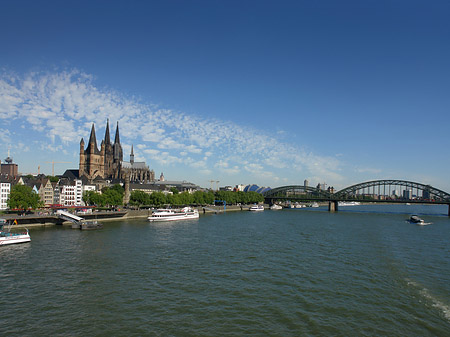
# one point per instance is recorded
(363, 271)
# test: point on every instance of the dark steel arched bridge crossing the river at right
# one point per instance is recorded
(376, 191)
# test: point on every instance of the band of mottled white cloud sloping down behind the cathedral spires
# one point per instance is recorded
(61, 106)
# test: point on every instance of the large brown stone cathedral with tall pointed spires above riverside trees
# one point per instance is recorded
(108, 164)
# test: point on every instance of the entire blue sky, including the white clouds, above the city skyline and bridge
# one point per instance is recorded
(241, 92)
